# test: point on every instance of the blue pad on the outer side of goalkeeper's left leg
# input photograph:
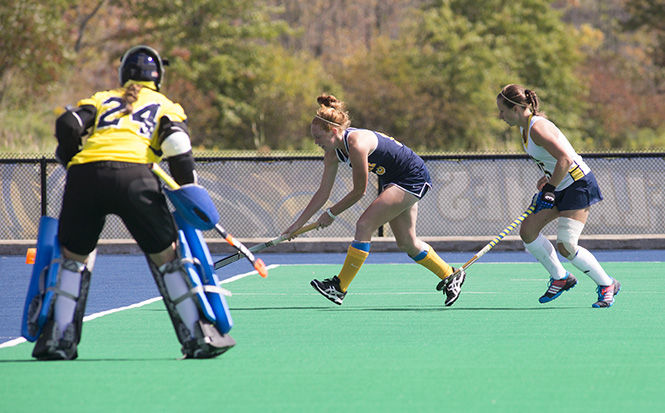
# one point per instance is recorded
(44, 278)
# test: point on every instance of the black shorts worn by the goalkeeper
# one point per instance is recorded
(129, 190)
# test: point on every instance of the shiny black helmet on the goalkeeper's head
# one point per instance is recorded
(141, 63)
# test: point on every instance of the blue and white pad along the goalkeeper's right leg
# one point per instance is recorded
(192, 245)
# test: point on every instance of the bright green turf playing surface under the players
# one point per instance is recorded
(390, 347)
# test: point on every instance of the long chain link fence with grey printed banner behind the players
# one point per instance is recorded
(472, 195)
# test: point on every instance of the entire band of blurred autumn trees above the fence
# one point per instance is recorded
(425, 71)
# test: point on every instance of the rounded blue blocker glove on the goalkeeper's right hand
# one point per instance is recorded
(194, 204)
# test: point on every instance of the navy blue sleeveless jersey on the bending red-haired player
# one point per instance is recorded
(393, 163)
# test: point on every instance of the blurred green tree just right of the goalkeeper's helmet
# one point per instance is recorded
(248, 92)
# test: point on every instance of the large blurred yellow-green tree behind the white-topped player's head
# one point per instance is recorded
(439, 80)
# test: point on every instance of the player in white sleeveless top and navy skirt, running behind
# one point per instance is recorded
(567, 190)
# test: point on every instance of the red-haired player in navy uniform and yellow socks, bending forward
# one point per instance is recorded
(403, 179)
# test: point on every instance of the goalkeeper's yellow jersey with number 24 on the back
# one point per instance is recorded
(127, 138)
